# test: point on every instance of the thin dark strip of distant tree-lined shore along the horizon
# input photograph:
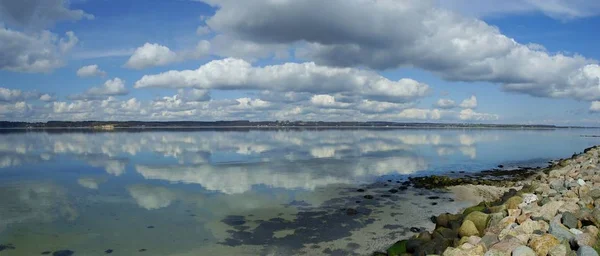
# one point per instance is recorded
(246, 123)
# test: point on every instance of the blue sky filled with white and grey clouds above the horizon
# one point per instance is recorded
(460, 61)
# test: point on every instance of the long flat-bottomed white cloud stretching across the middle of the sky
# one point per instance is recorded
(232, 74)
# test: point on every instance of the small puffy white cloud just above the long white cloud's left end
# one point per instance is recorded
(152, 55)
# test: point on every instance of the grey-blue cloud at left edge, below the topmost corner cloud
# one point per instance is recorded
(34, 53)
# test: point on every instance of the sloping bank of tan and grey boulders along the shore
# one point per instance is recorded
(553, 212)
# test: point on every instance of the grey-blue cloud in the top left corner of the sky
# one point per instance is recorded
(39, 13)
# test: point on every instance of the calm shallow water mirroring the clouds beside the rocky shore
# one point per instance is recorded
(241, 192)
